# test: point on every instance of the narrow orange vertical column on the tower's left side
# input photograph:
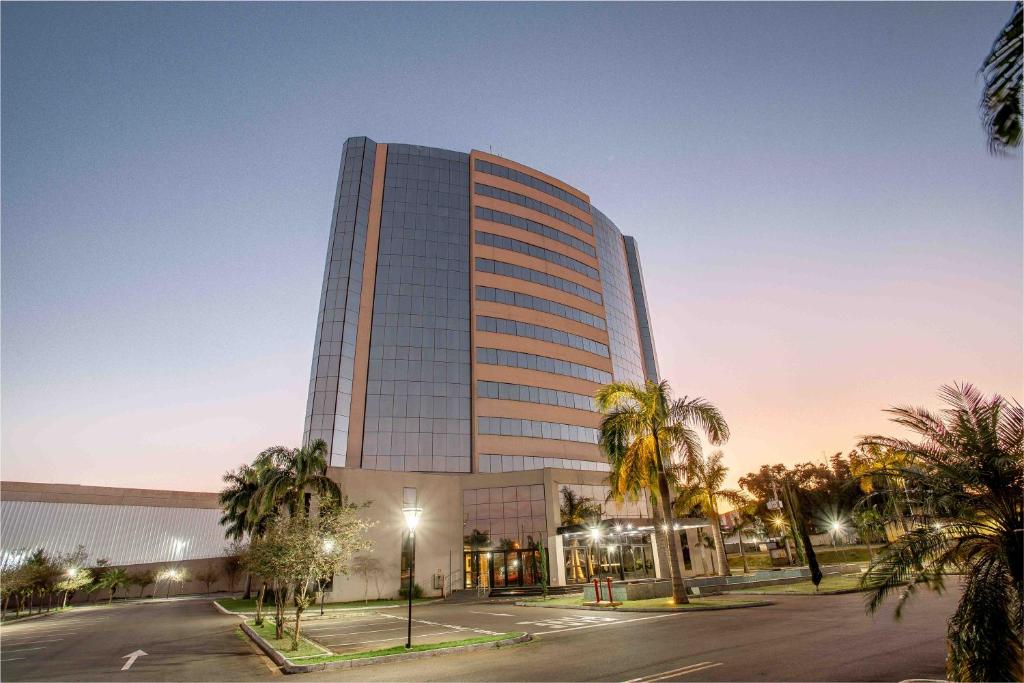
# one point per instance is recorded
(362, 364)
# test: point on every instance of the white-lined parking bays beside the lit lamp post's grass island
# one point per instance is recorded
(371, 630)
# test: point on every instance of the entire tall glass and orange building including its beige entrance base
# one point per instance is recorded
(472, 308)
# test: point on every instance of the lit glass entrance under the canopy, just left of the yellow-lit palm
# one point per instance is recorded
(616, 549)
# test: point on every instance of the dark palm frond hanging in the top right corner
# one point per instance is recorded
(1001, 104)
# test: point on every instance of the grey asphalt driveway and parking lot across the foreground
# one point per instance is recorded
(800, 638)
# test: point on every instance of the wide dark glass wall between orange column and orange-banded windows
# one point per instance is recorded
(420, 331)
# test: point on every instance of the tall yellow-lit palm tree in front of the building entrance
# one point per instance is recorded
(642, 429)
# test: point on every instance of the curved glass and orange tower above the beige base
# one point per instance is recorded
(396, 373)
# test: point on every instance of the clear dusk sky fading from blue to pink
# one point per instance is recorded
(824, 231)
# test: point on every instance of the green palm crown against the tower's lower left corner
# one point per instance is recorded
(286, 476)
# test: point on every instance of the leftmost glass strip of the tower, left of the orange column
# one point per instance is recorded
(334, 351)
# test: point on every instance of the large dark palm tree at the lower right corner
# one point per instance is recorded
(969, 465)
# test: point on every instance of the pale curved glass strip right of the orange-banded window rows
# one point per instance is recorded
(624, 340)
